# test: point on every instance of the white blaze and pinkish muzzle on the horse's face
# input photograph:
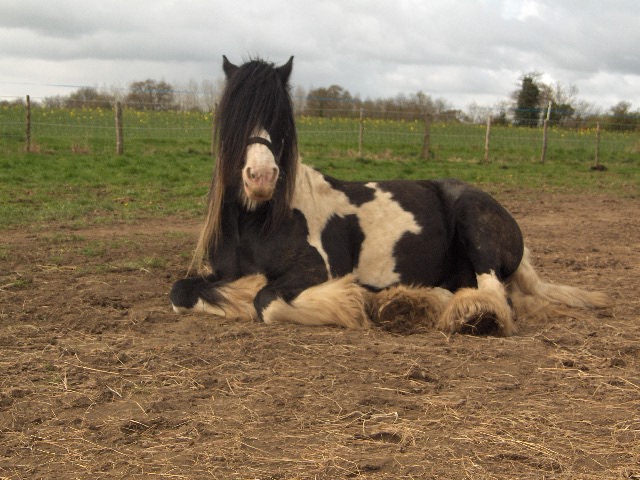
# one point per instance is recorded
(260, 172)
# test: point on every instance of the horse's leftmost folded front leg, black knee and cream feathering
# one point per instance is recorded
(222, 298)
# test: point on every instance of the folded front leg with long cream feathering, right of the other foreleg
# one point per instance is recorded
(340, 301)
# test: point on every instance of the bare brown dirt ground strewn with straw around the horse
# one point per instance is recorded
(100, 379)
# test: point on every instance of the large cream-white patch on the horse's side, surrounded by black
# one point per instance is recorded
(383, 222)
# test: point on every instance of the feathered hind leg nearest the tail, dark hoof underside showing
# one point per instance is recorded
(483, 311)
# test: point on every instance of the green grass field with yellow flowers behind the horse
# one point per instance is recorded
(73, 174)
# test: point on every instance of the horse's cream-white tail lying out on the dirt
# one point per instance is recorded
(530, 295)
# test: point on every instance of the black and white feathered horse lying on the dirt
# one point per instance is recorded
(282, 242)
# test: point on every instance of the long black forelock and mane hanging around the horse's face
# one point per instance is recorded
(254, 97)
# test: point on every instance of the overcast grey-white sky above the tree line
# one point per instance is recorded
(463, 51)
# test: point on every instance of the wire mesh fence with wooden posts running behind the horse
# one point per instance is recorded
(92, 130)
